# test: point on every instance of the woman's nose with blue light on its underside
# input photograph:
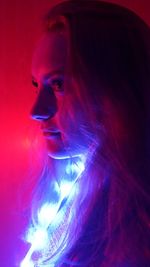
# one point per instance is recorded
(45, 105)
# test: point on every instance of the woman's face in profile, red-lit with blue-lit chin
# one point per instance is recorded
(48, 74)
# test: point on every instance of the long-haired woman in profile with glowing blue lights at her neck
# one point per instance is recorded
(92, 72)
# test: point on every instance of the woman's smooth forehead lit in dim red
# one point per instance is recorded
(49, 55)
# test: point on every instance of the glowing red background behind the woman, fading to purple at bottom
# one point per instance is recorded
(20, 27)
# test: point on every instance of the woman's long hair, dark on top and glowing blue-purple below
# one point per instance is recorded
(105, 218)
